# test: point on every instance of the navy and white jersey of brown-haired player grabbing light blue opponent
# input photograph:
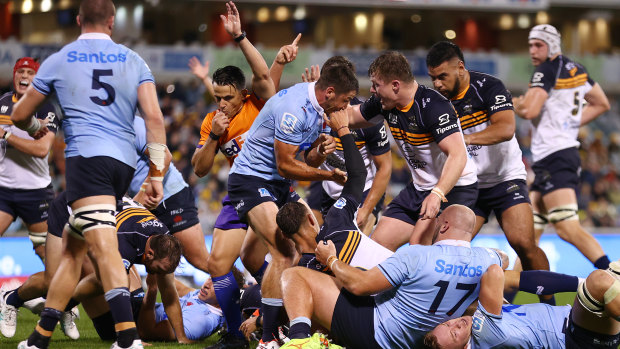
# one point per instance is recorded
(417, 129)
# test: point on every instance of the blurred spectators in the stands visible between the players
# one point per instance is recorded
(185, 105)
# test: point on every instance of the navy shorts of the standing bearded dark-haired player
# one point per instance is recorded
(501, 197)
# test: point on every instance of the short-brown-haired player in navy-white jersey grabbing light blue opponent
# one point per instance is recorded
(426, 129)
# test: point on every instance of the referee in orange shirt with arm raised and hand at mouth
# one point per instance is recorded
(225, 130)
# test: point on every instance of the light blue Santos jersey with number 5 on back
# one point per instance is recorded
(96, 82)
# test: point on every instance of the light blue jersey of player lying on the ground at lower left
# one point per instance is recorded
(200, 320)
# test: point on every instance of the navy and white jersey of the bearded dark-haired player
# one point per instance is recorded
(485, 96)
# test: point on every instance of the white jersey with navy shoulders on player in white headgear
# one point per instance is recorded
(557, 126)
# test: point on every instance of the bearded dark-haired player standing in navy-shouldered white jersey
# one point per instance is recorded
(485, 111)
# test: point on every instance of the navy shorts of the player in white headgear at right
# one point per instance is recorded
(558, 170)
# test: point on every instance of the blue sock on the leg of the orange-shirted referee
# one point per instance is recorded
(227, 294)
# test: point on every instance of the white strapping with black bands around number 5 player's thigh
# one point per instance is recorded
(91, 217)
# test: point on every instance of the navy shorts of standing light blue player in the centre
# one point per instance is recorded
(247, 192)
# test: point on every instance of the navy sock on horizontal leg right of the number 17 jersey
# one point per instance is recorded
(543, 282)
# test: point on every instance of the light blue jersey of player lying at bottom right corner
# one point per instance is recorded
(520, 326)
